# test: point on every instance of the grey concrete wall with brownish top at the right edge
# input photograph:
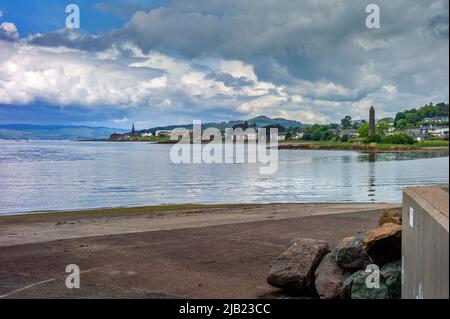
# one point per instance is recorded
(425, 240)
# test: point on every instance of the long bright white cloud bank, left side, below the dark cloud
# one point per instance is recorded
(61, 76)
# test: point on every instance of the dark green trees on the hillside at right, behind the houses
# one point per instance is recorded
(416, 117)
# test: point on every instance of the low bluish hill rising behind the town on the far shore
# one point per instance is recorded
(260, 121)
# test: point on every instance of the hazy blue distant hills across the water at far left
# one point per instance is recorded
(55, 132)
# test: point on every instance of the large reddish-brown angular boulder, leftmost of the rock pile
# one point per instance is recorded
(294, 269)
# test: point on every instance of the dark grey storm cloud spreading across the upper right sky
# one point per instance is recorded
(312, 39)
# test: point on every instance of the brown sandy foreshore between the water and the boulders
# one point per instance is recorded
(194, 251)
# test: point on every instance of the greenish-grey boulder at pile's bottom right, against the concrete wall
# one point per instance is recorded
(390, 283)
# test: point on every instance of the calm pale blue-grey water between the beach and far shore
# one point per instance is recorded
(64, 175)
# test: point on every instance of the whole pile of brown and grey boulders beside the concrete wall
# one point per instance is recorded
(308, 266)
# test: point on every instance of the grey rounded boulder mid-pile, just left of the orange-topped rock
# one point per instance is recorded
(350, 253)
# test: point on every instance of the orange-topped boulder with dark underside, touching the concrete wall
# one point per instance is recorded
(384, 243)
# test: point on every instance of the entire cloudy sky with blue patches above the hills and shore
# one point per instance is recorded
(162, 62)
